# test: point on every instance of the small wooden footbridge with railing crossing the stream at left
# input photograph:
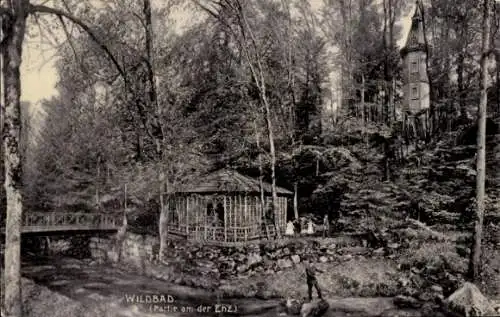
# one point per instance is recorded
(57, 222)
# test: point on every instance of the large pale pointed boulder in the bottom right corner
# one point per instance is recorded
(469, 301)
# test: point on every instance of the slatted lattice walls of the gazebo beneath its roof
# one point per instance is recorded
(223, 218)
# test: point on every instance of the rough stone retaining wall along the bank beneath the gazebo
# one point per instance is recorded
(204, 266)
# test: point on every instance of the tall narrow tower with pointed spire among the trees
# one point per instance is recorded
(414, 53)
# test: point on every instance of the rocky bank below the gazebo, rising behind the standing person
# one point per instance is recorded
(274, 268)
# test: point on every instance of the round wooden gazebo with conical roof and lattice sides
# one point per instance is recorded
(225, 208)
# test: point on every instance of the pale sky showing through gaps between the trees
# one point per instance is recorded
(39, 76)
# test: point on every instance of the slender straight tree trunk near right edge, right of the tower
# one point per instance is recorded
(475, 260)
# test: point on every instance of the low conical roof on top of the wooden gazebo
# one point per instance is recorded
(229, 181)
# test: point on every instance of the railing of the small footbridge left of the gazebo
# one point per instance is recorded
(79, 219)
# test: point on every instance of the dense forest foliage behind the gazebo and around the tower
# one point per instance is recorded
(104, 130)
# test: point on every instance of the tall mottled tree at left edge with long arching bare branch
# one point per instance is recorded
(14, 16)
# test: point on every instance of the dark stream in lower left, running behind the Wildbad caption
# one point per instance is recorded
(127, 293)
